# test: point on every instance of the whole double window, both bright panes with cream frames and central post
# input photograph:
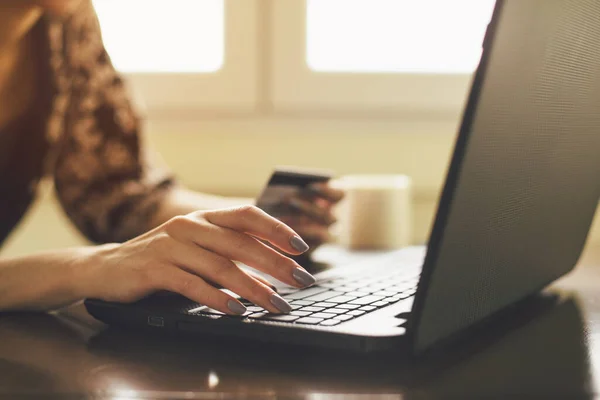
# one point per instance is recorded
(192, 57)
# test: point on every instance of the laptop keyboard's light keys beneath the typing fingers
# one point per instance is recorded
(337, 300)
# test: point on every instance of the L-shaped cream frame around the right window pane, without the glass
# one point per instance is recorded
(295, 87)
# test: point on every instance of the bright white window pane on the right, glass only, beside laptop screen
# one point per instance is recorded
(403, 36)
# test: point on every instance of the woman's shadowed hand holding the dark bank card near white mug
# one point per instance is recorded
(309, 212)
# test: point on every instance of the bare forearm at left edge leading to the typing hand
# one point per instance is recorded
(44, 281)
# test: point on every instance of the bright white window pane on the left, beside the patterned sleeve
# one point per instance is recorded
(148, 45)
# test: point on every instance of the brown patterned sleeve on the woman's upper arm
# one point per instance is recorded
(103, 176)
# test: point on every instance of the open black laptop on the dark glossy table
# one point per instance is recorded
(516, 208)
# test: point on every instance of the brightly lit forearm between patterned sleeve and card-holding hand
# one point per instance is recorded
(181, 201)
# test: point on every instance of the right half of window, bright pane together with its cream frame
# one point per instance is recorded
(403, 57)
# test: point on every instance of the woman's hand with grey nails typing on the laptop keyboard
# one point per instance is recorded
(191, 254)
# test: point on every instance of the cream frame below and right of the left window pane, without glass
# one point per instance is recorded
(232, 88)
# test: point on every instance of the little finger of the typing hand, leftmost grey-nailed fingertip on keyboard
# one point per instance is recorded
(196, 289)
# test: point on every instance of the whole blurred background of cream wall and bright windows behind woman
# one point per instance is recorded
(231, 88)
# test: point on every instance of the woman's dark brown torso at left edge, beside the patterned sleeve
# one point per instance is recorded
(23, 113)
